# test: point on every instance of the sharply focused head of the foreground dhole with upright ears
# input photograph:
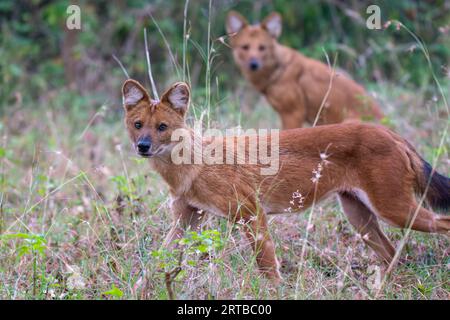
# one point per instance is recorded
(150, 123)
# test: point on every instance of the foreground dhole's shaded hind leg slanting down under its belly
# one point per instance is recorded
(365, 222)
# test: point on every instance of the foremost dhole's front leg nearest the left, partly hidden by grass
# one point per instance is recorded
(184, 217)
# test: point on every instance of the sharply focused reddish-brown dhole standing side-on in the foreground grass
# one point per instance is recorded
(374, 172)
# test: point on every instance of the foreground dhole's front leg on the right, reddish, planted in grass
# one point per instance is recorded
(257, 232)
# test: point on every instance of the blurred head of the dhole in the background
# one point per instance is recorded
(254, 45)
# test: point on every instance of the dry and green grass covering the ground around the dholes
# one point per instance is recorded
(82, 217)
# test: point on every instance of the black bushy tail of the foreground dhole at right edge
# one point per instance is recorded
(438, 194)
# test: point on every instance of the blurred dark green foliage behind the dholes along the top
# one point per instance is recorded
(39, 55)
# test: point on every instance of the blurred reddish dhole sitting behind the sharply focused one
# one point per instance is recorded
(293, 84)
